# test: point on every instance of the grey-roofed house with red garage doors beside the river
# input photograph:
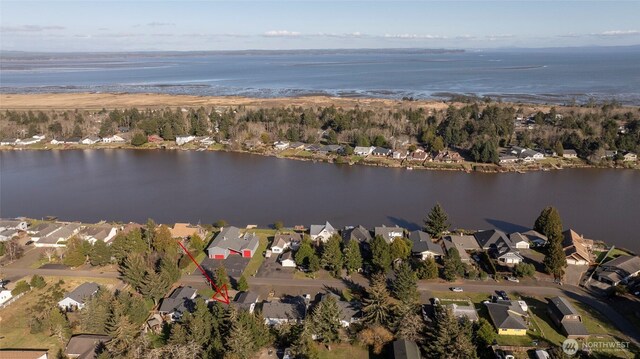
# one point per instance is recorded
(231, 242)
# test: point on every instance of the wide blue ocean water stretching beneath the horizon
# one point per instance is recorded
(545, 75)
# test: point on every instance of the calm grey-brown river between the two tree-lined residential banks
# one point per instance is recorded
(171, 186)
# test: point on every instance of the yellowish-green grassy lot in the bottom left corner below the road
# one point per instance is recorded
(14, 319)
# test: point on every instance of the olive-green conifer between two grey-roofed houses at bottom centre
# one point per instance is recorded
(325, 319)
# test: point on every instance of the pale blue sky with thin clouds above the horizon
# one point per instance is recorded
(59, 26)
